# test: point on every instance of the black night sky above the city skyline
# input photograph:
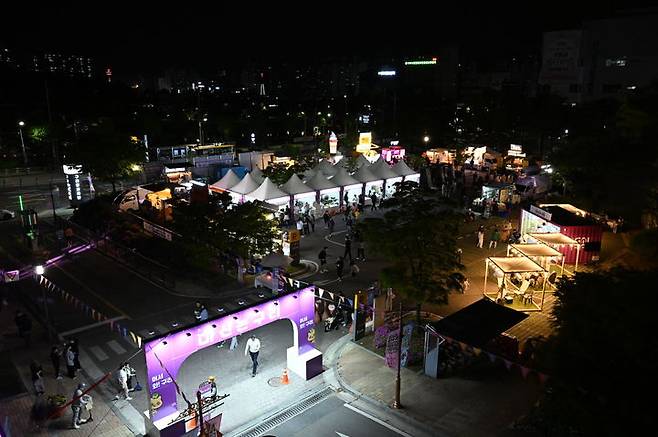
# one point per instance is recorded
(144, 37)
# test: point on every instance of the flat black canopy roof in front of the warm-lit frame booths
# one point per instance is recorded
(478, 323)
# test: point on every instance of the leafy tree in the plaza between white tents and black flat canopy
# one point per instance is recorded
(417, 236)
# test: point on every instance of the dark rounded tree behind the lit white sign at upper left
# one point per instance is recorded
(107, 153)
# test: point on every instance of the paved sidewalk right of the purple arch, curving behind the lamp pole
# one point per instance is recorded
(449, 407)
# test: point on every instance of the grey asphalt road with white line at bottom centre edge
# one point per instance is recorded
(332, 417)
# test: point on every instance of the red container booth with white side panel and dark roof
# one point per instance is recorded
(583, 231)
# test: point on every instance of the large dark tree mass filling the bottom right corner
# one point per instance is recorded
(602, 354)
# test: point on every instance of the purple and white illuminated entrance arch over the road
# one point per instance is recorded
(165, 354)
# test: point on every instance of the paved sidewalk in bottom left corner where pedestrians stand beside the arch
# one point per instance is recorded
(18, 407)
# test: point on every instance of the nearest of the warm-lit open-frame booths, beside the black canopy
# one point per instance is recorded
(520, 282)
